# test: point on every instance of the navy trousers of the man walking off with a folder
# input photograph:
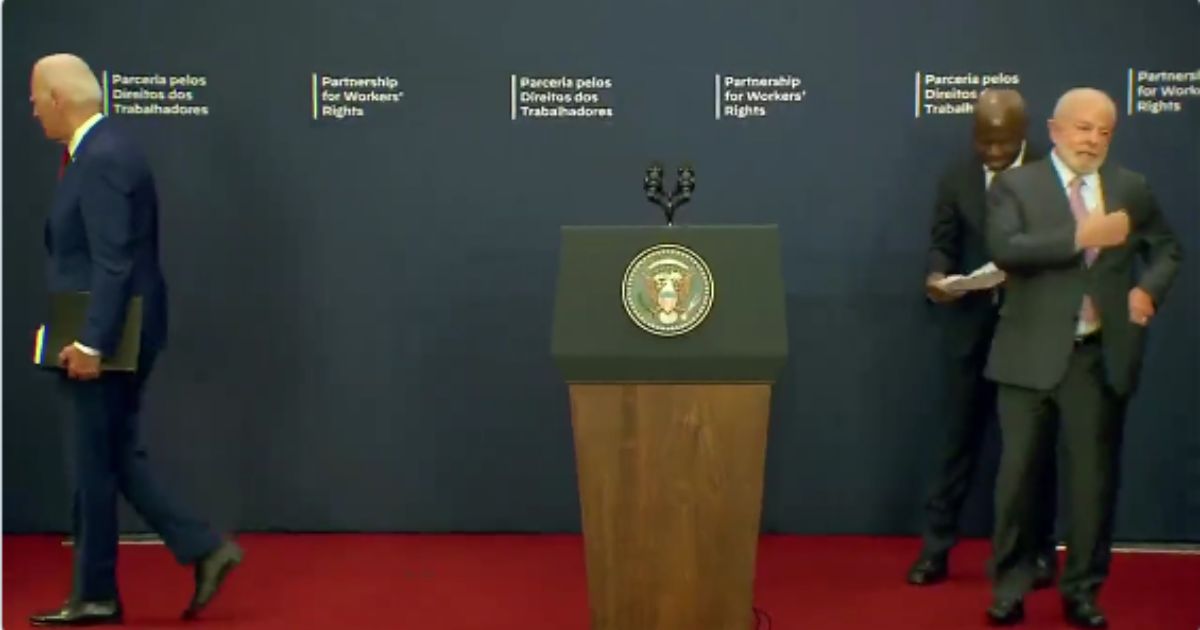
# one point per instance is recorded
(109, 459)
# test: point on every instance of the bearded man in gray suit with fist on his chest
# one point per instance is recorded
(1067, 350)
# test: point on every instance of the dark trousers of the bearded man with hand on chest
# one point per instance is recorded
(1090, 419)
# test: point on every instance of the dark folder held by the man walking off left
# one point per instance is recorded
(69, 311)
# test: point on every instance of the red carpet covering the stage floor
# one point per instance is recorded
(484, 583)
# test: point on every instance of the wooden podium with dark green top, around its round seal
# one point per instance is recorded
(670, 431)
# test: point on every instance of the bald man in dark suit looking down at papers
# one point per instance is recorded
(957, 247)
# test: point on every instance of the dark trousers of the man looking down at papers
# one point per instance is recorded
(971, 409)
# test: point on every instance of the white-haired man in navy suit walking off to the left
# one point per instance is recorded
(103, 238)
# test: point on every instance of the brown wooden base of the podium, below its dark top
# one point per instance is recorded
(671, 494)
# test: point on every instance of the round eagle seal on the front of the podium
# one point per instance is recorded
(668, 291)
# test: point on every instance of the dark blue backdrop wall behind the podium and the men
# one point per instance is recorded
(362, 310)
